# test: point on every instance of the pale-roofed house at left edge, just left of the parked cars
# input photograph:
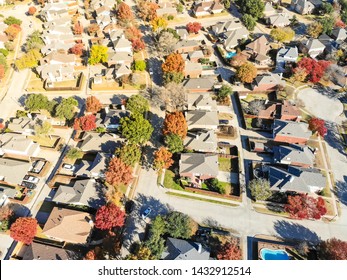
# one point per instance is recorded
(13, 171)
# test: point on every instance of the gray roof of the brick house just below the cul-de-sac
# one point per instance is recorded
(291, 129)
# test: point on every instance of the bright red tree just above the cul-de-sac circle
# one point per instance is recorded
(314, 69)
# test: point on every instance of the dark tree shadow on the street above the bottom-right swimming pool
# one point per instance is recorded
(295, 231)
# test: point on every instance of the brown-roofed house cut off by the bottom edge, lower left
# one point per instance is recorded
(38, 251)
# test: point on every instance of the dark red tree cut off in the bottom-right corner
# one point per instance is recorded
(332, 249)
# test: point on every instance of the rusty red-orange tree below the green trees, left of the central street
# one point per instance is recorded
(118, 173)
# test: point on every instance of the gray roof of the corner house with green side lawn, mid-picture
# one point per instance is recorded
(202, 164)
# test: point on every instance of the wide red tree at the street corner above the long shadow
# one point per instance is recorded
(302, 206)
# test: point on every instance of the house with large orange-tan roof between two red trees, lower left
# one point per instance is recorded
(69, 225)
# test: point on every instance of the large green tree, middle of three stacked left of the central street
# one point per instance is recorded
(136, 129)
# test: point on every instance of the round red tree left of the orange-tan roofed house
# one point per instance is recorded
(24, 230)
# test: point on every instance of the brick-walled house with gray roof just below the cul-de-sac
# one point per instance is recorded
(291, 132)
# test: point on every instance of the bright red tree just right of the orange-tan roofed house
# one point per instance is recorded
(109, 216)
